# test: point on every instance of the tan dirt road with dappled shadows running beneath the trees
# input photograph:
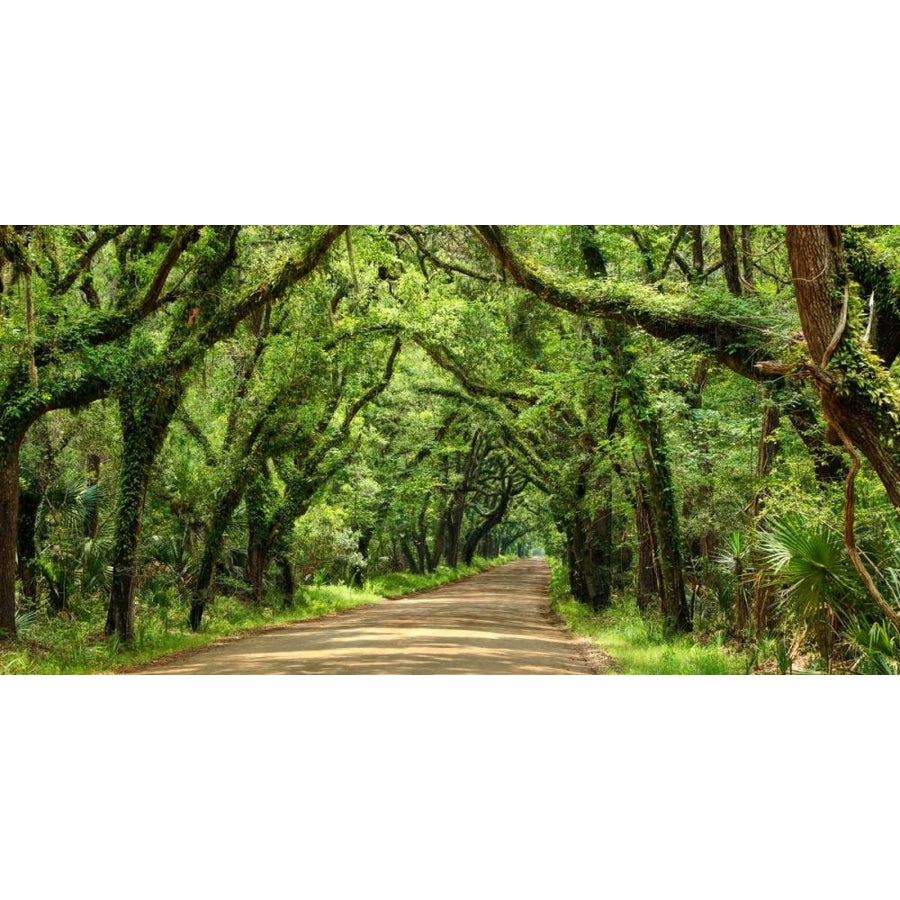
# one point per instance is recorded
(497, 622)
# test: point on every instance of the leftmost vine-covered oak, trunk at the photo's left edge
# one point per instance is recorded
(64, 356)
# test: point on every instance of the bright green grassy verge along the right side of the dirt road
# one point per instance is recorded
(636, 644)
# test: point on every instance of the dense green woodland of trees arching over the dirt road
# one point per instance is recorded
(699, 422)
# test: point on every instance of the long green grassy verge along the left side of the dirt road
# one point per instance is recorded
(78, 647)
